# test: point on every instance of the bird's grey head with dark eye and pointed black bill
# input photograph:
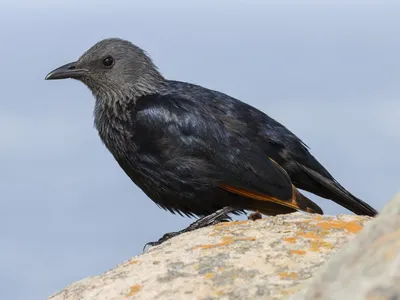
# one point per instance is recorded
(113, 69)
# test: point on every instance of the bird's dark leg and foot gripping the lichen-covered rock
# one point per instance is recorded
(220, 215)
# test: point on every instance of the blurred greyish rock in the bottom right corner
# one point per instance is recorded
(366, 268)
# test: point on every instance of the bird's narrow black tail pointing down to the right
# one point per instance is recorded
(338, 194)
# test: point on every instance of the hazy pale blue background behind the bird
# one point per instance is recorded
(329, 72)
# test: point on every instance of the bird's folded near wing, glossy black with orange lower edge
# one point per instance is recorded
(212, 147)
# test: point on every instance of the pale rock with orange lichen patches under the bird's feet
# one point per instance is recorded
(270, 258)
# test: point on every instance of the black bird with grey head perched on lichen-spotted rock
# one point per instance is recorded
(195, 151)
